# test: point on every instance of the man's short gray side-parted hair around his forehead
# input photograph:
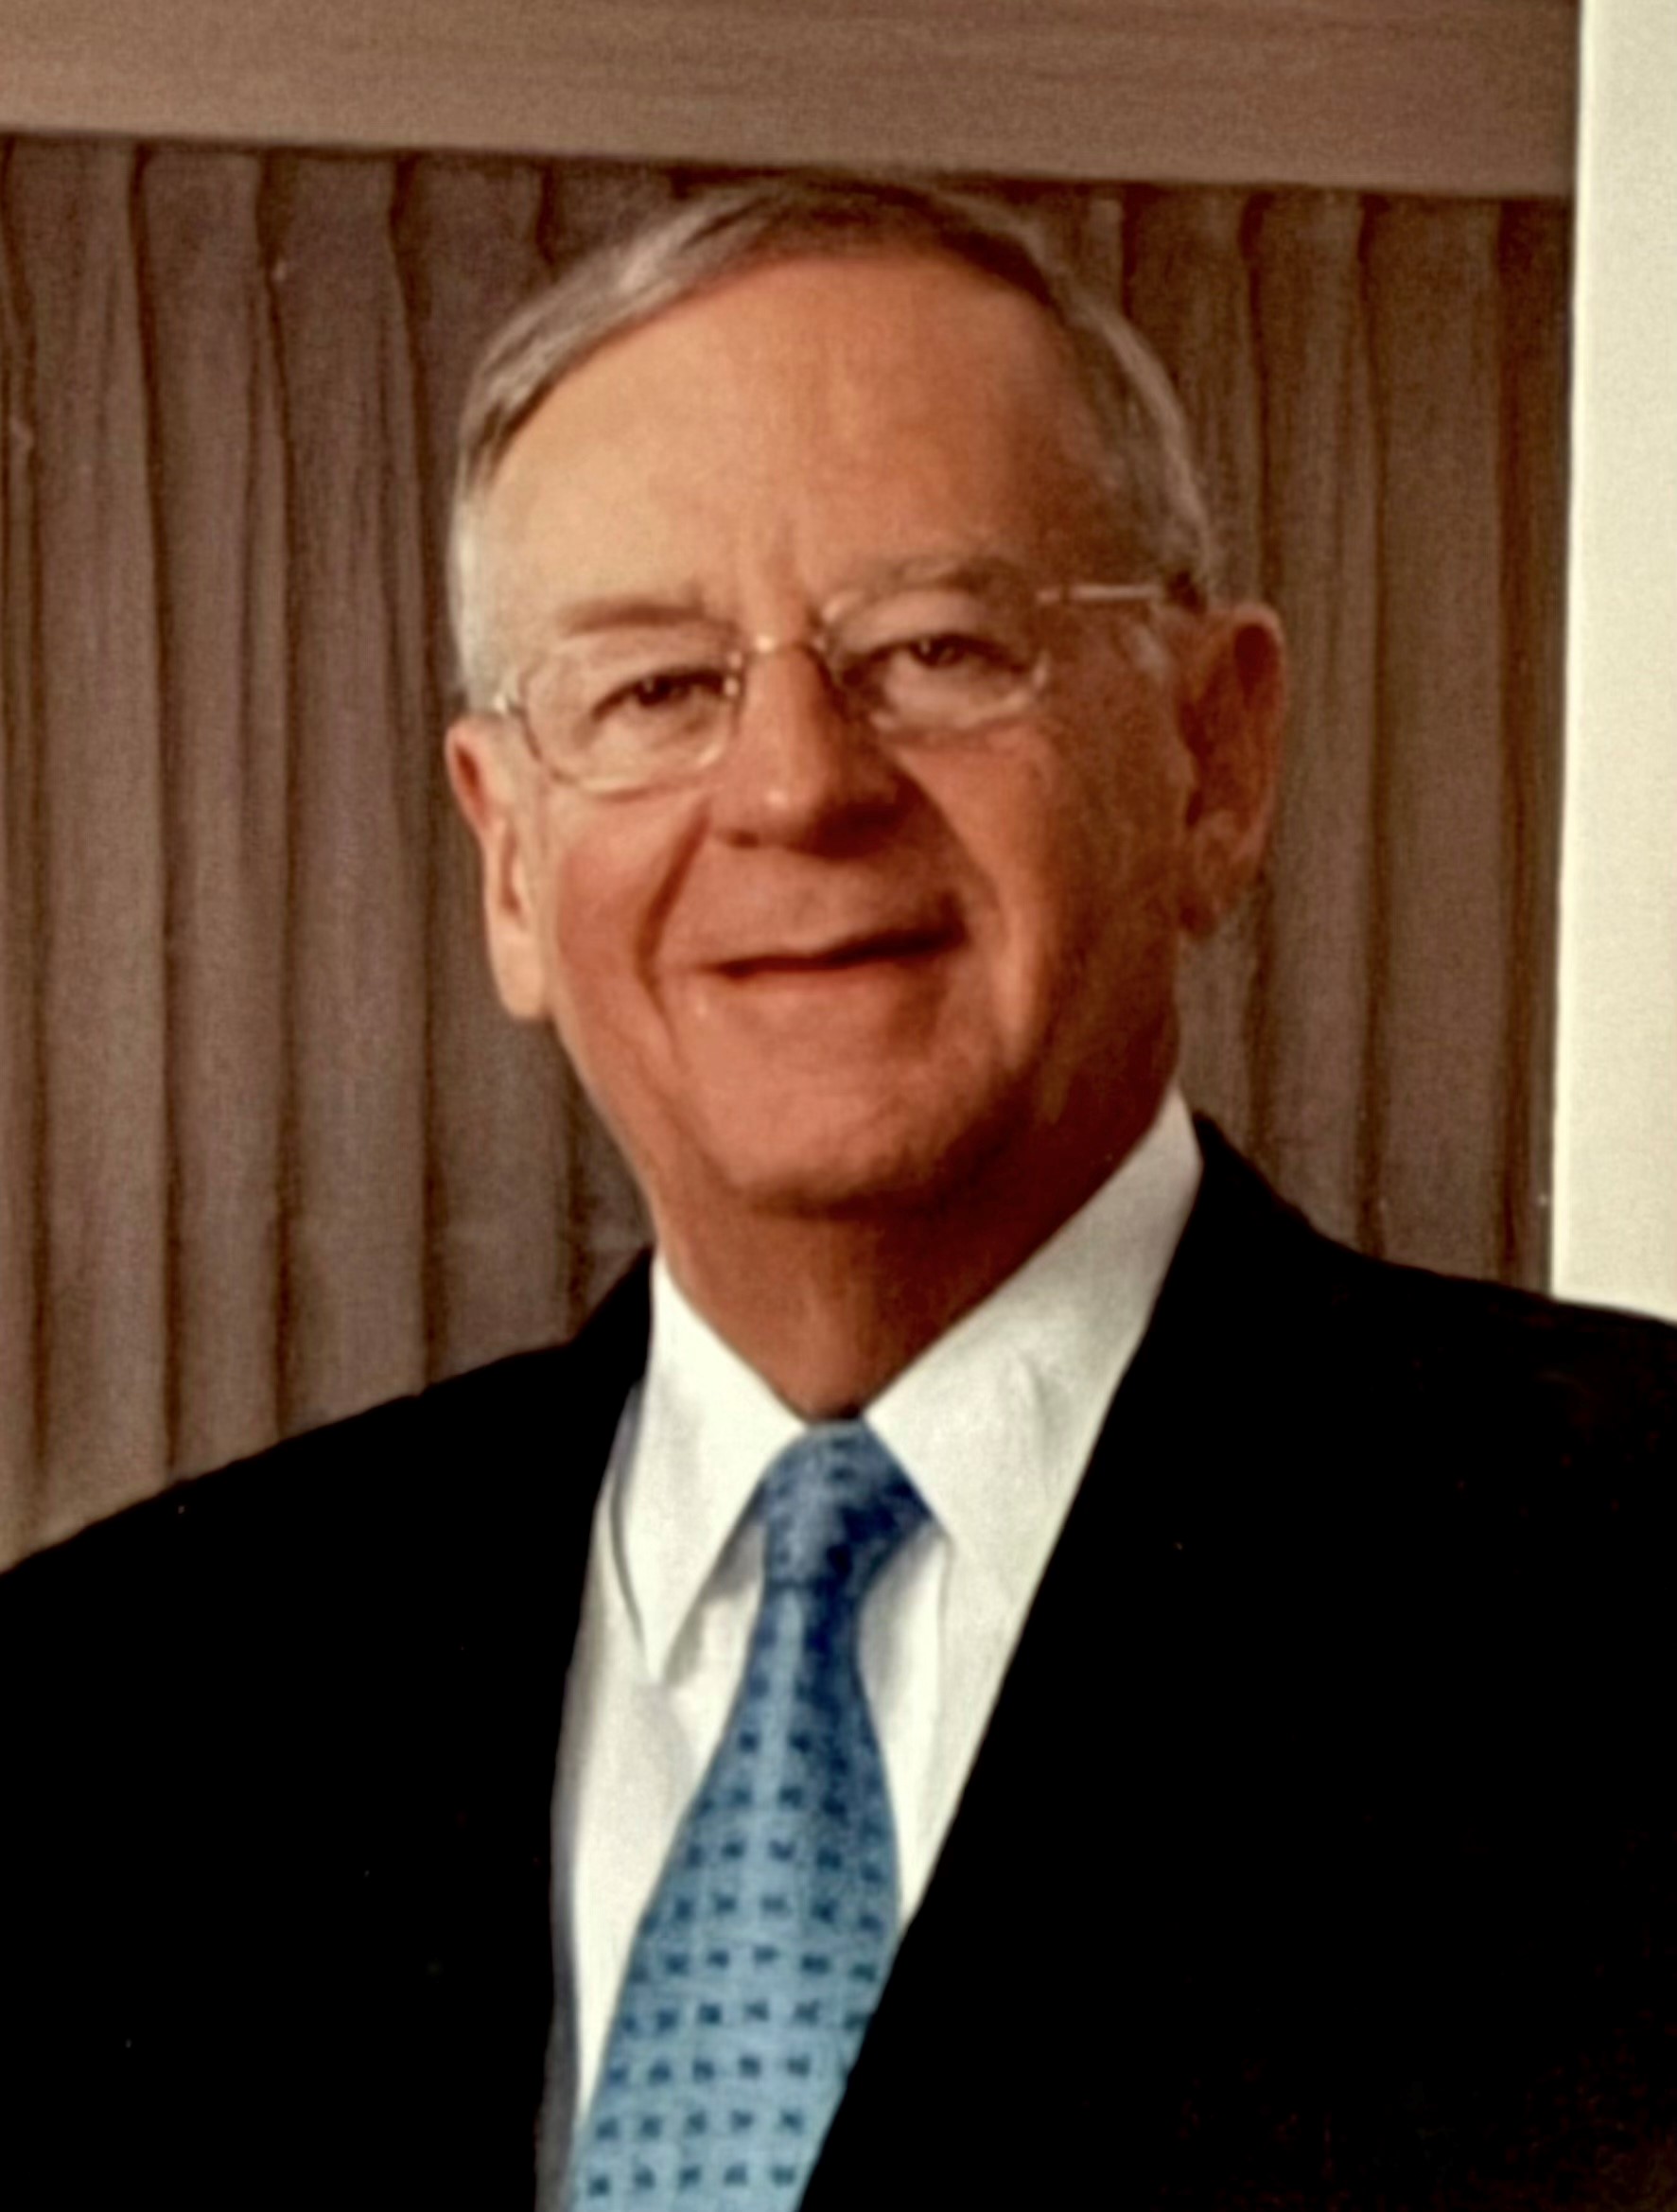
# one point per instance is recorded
(1149, 477)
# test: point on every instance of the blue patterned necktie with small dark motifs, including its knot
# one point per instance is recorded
(764, 1948)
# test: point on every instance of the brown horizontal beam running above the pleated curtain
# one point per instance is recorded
(1413, 96)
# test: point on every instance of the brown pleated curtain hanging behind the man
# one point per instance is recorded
(269, 1149)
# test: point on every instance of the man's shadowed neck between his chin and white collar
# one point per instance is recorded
(833, 1308)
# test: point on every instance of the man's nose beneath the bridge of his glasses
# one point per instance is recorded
(802, 766)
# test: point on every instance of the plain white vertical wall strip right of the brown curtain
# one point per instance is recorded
(1616, 1109)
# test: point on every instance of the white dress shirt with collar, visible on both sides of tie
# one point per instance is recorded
(994, 1426)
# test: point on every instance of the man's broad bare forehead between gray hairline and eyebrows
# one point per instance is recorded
(815, 413)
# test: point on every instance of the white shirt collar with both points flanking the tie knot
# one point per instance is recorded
(994, 1421)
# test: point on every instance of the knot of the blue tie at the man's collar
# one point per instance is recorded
(835, 1510)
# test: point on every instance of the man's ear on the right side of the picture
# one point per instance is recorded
(1233, 707)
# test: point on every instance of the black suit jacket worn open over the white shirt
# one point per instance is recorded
(1322, 1848)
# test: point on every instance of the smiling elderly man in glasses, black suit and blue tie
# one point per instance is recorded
(1041, 1680)
